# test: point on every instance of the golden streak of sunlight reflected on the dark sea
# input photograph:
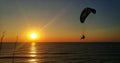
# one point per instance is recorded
(33, 53)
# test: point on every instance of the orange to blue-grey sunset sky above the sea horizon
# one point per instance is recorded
(58, 20)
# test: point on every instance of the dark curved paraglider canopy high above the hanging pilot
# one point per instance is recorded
(86, 11)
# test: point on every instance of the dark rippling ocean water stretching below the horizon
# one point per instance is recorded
(69, 52)
